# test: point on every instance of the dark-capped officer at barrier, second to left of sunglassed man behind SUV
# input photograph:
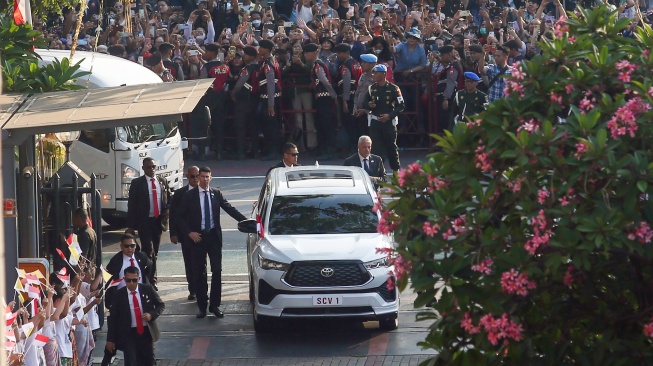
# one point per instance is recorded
(246, 98)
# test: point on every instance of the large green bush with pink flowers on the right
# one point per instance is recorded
(527, 237)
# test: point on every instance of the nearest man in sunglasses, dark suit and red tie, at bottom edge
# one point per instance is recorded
(135, 307)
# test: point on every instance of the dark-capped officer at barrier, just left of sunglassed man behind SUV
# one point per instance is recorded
(269, 76)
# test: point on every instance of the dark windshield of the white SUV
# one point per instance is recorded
(322, 214)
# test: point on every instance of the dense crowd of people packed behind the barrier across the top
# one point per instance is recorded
(426, 47)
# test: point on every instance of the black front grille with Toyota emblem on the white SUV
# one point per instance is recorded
(312, 274)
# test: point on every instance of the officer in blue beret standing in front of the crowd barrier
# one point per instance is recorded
(385, 102)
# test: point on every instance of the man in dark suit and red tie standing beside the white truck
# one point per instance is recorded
(147, 211)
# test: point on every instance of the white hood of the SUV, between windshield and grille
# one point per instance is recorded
(289, 248)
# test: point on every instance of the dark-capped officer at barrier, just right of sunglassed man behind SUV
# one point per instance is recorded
(324, 97)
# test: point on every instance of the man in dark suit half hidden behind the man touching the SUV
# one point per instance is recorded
(193, 176)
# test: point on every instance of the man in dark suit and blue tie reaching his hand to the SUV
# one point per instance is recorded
(199, 220)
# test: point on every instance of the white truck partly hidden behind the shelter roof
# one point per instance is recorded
(115, 155)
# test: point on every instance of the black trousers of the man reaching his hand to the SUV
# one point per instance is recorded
(210, 245)
